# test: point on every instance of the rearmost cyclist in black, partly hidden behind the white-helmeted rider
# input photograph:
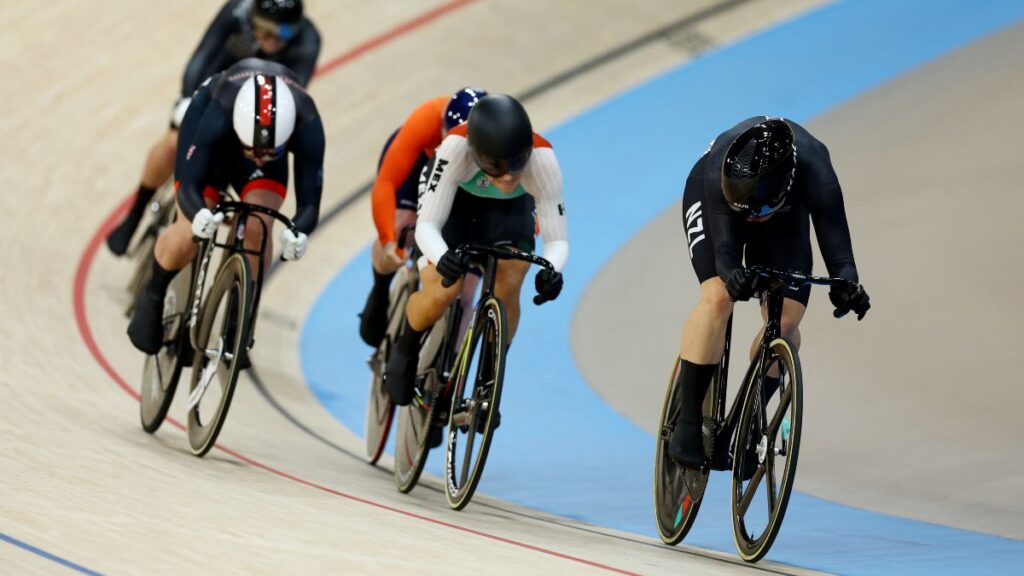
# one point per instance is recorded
(272, 30)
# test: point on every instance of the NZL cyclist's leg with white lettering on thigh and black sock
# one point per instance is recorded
(703, 341)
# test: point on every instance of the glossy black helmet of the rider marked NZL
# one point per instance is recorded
(759, 169)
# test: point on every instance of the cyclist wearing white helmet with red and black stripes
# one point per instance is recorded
(237, 133)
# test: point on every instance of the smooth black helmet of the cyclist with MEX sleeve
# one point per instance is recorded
(500, 135)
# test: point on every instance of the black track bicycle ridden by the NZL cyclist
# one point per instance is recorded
(758, 439)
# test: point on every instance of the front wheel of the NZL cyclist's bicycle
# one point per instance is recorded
(765, 454)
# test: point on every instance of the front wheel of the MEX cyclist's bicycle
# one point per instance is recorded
(477, 394)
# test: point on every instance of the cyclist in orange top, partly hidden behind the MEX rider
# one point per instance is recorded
(396, 191)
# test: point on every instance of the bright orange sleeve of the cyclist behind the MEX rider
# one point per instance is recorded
(420, 135)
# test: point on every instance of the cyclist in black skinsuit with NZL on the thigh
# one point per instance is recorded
(752, 196)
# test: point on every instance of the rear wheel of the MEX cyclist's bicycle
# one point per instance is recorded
(417, 422)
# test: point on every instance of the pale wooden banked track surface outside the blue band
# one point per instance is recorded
(89, 90)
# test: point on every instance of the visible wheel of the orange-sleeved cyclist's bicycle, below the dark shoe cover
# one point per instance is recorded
(380, 409)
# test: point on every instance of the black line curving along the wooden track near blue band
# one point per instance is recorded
(529, 95)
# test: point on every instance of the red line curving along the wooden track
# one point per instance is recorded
(82, 320)
